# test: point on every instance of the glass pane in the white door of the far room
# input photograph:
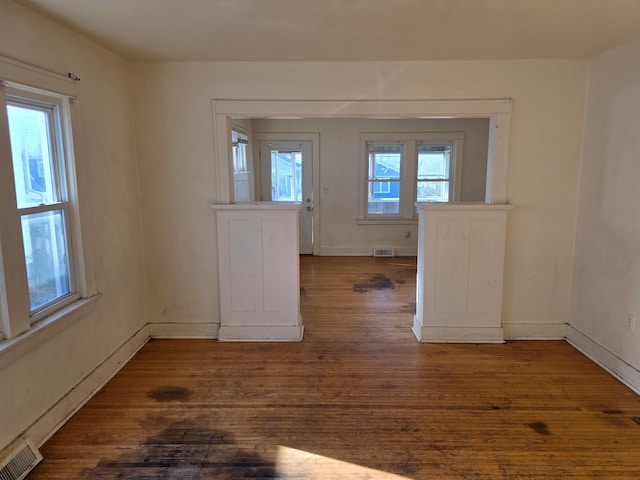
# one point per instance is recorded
(286, 176)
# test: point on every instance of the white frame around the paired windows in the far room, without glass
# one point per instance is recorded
(408, 169)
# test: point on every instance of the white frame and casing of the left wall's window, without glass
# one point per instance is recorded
(16, 319)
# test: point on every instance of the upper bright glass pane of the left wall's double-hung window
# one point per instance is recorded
(32, 157)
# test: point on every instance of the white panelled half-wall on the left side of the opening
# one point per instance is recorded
(258, 268)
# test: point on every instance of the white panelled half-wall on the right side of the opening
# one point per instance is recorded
(460, 273)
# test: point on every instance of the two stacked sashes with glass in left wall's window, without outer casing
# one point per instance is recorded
(42, 197)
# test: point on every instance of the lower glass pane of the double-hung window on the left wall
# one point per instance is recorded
(45, 248)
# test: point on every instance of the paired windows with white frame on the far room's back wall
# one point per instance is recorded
(401, 169)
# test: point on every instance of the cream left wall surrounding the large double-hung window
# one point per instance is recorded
(37, 388)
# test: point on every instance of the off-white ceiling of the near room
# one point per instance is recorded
(349, 30)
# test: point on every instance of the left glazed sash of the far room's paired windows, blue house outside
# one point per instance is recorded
(384, 165)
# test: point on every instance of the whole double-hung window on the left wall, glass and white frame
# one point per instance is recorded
(38, 222)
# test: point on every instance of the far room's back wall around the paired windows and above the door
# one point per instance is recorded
(339, 180)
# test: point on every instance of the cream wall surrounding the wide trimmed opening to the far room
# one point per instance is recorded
(174, 125)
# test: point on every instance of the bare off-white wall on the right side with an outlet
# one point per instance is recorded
(606, 274)
